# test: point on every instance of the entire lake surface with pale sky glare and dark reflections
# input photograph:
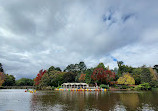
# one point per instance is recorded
(19, 100)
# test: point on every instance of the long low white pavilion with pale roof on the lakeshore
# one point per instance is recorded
(75, 85)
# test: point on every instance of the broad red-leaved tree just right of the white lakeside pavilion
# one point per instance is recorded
(100, 74)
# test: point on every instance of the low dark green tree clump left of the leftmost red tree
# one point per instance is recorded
(24, 82)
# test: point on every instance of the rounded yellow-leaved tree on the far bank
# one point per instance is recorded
(126, 79)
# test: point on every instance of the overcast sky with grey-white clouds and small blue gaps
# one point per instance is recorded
(36, 34)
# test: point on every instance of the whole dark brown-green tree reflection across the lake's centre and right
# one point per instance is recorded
(69, 100)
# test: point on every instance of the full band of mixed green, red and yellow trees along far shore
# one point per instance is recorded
(99, 75)
